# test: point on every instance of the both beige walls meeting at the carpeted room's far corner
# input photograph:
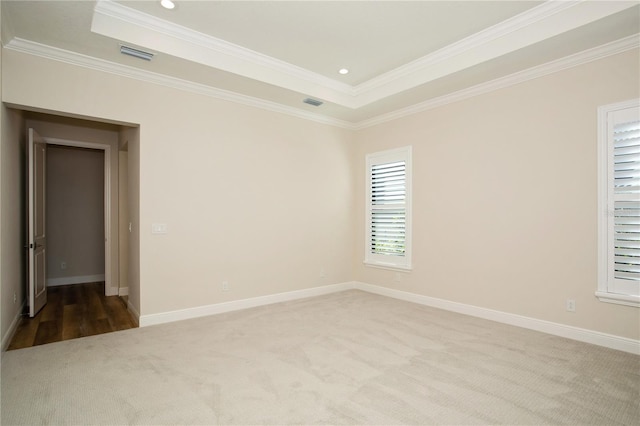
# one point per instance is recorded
(504, 185)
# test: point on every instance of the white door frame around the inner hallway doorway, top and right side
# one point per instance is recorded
(109, 290)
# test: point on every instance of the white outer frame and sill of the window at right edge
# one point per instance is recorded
(606, 291)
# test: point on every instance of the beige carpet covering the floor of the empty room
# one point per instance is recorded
(345, 358)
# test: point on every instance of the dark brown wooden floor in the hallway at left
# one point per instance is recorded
(73, 311)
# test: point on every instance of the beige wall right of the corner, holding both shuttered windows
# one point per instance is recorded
(505, 197)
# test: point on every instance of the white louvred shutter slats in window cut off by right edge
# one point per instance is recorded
(626, 195)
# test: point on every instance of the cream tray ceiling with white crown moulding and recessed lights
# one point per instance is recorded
(402, 55)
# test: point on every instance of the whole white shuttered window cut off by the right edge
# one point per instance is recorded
(619, 203)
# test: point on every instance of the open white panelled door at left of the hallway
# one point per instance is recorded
(37, 155)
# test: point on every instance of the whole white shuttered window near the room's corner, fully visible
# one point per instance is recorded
(388, 233)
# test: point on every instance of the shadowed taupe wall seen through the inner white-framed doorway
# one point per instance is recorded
(75, 215)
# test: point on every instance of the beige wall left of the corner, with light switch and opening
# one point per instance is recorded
(257, 198)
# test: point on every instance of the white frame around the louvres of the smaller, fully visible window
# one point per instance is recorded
(402, 263)
